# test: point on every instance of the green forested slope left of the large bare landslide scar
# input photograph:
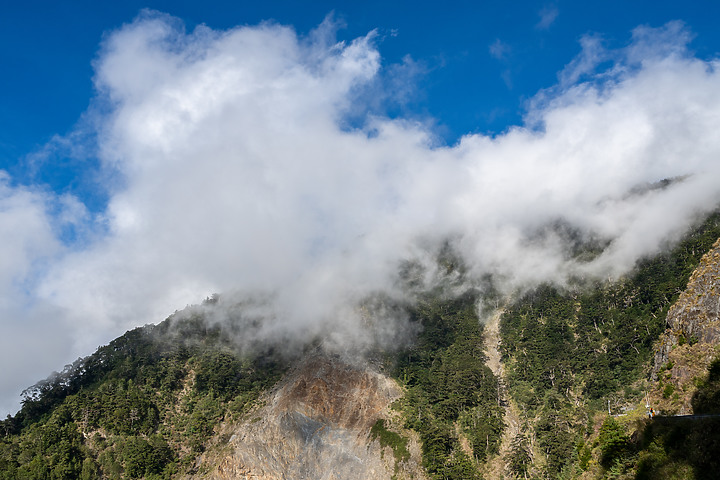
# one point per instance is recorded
(143, 406)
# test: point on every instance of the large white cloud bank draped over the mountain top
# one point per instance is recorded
(232, 165)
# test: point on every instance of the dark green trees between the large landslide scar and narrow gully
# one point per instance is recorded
(448, 383)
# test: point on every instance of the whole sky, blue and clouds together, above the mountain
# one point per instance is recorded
(154, 153)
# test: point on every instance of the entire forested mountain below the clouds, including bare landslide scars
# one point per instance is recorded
(549, 382)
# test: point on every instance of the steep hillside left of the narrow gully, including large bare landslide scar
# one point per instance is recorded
(179, 400)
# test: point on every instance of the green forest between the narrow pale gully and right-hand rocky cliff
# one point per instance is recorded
(572, 353)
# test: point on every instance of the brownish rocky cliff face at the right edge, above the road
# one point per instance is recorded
(692, 338)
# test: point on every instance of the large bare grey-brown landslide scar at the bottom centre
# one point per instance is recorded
(316, 425)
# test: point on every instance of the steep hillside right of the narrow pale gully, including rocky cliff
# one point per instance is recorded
(578, 360)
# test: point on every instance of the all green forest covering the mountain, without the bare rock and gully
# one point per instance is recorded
(147, 404)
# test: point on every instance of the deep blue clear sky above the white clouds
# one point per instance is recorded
(478, 62)
